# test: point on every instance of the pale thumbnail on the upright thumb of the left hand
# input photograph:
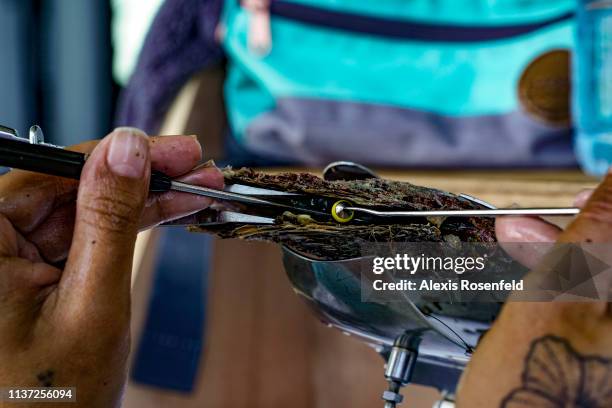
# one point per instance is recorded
(127, 153)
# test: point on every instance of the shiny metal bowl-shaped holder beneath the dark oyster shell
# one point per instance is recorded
(449, 332)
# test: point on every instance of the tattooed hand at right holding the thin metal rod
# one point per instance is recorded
(547, 354)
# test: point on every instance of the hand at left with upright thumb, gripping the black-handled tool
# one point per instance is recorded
(69, 326)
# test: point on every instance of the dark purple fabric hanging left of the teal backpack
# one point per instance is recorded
(181, 42)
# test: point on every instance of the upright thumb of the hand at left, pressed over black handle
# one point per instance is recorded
(112, 191)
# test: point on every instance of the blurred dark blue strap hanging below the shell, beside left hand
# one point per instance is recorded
(171, 342)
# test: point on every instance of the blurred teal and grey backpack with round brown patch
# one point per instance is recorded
(443, 83)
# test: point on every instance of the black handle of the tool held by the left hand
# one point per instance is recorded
(58, 162)
